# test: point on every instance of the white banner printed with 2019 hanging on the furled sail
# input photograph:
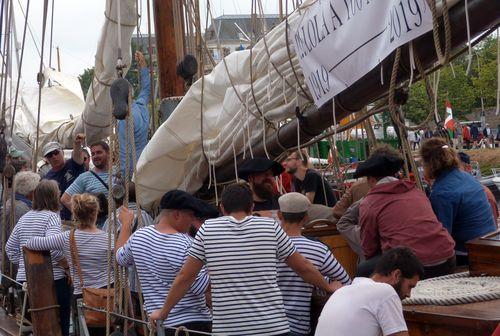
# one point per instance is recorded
(339, 41)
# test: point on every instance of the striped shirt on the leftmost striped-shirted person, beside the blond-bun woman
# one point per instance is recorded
(34, 223)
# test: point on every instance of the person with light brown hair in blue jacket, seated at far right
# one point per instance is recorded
(457, 198)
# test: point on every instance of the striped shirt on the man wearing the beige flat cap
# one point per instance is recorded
(296, 292)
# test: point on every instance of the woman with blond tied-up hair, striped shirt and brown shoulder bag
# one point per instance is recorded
(92, 245)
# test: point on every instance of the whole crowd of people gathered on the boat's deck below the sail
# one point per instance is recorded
(245, 268)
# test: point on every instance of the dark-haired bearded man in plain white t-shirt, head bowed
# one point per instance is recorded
(372, 306)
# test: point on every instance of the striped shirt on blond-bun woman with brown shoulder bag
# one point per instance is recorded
(92, 252)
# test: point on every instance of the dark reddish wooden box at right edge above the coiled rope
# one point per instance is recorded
(484, 255)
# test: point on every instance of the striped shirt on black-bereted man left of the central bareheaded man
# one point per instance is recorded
(158, 258)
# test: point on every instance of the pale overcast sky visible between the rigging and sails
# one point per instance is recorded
(77, 26)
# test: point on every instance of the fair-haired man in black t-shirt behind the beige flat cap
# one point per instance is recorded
(308, 181)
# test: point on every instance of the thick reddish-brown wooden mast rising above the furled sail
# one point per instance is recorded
(166, 44)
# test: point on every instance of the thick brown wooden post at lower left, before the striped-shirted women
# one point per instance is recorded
(41, 293)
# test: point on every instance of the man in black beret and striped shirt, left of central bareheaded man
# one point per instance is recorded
(158, 252)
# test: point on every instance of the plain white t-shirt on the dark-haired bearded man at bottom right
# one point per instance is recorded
(365, 308)
